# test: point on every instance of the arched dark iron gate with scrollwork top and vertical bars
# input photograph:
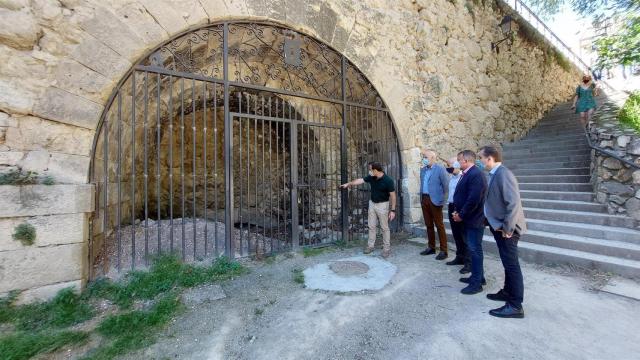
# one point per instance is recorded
(233, 139)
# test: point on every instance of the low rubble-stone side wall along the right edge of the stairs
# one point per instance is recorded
(616, 183)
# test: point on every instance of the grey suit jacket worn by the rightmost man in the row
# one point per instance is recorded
(503, 207)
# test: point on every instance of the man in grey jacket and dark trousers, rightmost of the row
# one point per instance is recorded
(503, 210)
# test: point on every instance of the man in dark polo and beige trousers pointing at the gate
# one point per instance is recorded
(383, 192)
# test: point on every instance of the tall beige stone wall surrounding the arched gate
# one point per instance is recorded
(430, 60)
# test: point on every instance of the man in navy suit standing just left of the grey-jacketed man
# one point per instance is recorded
(469, 203)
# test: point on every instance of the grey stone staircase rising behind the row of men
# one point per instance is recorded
(565, 226)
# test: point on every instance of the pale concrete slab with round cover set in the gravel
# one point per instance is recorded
(350, 274)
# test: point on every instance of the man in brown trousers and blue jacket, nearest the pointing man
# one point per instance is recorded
(433, 186)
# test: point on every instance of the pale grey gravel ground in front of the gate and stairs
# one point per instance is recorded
(419, 315)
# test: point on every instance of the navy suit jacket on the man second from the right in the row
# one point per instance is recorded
(469, 198)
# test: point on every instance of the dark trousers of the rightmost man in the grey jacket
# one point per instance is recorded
(513, 282)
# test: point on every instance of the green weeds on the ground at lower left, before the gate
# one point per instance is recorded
(43, 327)
